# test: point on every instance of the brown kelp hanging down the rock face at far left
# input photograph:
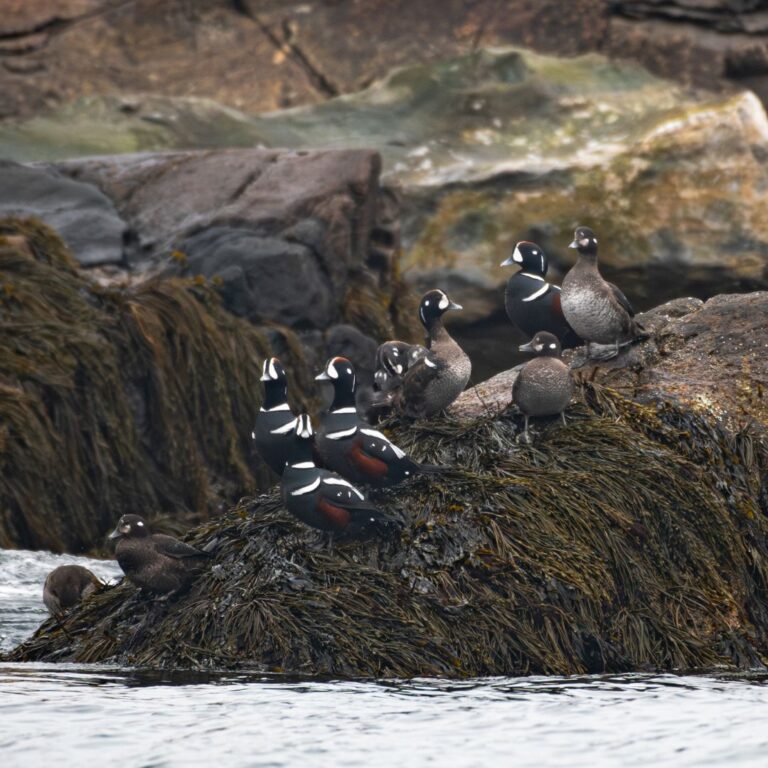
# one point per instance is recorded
(119, 397)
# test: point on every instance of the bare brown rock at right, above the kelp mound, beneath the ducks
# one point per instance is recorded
(703, 358)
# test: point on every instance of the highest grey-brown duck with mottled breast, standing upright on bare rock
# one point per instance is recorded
(596, 310)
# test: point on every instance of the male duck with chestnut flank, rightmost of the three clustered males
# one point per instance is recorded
(349, 446)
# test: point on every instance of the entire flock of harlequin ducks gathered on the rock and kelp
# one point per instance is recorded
(320, 473)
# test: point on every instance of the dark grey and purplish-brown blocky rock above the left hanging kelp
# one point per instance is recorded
(300, 240)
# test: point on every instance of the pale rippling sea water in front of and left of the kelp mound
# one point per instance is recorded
(72, 715)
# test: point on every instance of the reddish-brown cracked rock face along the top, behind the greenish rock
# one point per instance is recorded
(265, 55)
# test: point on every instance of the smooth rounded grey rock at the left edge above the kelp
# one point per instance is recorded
(82, 214)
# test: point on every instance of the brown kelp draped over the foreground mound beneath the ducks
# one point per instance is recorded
(608, 545)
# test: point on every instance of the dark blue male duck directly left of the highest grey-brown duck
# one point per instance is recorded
(532, 303)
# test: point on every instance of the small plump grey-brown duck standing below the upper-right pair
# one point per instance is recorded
(544, 385)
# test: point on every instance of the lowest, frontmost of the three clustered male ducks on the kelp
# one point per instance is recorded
(323, 499)
